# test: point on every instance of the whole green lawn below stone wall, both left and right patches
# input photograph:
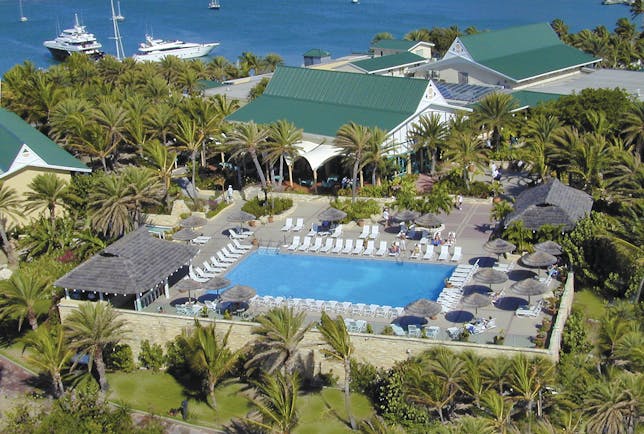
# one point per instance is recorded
(157, 393)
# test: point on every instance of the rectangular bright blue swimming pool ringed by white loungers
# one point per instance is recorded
(387, 283)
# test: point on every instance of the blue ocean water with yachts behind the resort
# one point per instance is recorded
(286, 27)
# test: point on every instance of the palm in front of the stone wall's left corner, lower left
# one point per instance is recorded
(90, 329)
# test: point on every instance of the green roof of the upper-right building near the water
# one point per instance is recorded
(524, 52)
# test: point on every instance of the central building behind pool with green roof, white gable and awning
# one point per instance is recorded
(320, 102)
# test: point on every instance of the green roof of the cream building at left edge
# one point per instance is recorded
(15, 132)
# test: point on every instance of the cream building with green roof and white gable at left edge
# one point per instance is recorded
(26, 153)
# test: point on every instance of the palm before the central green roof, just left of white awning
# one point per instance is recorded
(282, 145)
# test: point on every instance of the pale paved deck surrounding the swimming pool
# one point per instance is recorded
(472, 228)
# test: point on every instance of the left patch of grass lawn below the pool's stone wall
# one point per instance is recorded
(158, 393)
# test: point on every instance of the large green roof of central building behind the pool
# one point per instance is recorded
(320, 102)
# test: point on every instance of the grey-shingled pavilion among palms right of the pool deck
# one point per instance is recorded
(551, 203)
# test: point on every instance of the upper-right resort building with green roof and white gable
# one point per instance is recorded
(510, 58)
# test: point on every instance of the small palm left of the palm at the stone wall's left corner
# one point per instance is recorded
(49, 352)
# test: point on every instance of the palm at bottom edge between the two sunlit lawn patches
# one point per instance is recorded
(277, 403)
